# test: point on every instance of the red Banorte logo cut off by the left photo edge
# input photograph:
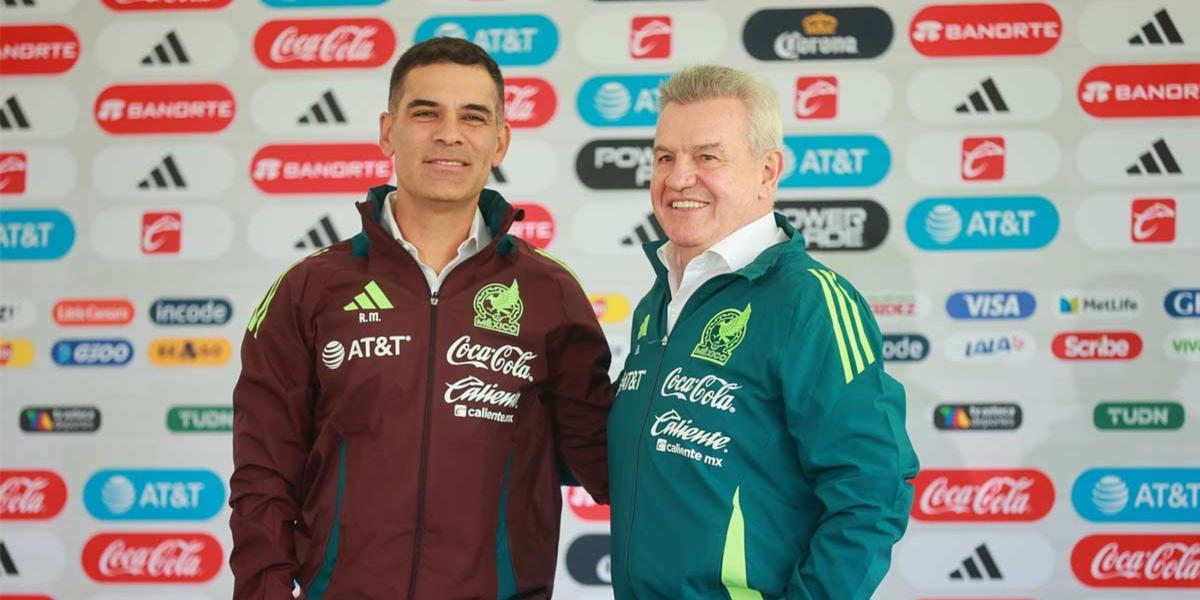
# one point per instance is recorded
(38, 50)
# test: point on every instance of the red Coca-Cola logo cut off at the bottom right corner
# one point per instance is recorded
(1112, 561)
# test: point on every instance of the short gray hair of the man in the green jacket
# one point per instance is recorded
(765, 129)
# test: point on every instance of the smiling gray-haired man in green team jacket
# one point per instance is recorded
(757, 447)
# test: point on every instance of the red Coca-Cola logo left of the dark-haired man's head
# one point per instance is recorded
(325, 44)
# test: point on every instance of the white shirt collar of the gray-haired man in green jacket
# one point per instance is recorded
(728, 256)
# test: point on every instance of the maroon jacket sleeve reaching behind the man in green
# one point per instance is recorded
(580, 392)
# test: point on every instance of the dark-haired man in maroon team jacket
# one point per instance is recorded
(407, 395)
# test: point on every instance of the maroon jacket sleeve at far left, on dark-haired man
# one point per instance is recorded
(272, 436)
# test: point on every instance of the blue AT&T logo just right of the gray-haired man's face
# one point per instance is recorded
(835, 161)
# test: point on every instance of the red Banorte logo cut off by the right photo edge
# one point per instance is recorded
(1115, 92)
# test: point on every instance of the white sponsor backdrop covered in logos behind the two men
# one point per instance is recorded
(1015, 187)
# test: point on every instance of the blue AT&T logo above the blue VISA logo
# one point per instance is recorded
(1003, 223)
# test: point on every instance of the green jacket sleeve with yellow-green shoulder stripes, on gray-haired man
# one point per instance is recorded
(848, 419)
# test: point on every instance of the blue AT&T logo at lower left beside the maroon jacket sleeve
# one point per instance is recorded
(154, 495)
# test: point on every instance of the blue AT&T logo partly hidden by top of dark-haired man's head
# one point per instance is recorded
(513, 40)
